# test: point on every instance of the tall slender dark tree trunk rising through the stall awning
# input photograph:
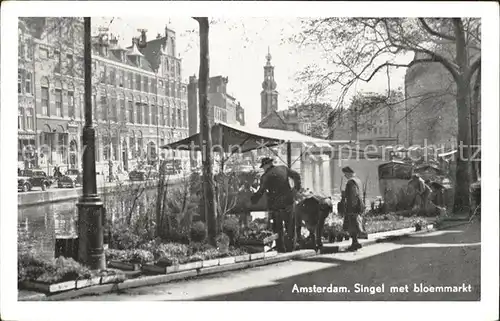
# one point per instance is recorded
(206, 137)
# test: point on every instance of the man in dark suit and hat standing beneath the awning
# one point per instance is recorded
(280, 198)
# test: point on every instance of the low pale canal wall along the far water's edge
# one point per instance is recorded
(60, 194)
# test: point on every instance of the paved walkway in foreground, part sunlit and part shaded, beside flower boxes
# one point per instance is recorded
(429, 259)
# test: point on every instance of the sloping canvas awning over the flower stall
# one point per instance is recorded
(235, 138)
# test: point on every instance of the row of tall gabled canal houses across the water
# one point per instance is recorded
(138, 99)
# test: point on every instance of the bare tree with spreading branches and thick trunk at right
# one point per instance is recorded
(357, 49)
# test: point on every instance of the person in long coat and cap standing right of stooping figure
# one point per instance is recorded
(353, 207)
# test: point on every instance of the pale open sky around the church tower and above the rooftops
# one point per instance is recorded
(238, 48)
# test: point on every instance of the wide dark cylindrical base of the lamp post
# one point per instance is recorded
(90, 231)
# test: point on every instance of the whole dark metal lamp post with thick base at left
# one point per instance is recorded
(90, 206)
